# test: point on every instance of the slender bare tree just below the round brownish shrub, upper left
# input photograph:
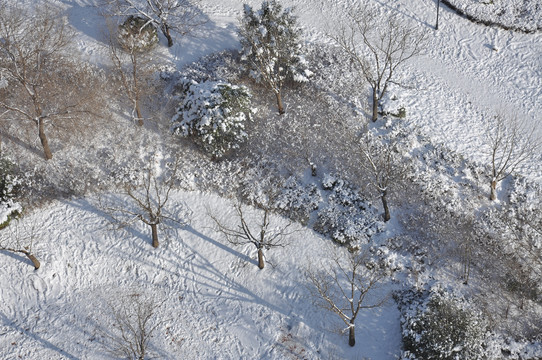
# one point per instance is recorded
(132, 69)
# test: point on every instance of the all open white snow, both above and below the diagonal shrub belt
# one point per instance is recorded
(215, 302)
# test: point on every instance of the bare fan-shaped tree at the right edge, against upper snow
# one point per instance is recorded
(510, 143)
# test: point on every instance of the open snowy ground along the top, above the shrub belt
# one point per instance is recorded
(467, 73)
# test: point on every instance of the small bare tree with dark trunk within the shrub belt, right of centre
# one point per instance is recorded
(383, 164)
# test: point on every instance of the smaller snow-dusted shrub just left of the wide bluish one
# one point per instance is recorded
(297, 200)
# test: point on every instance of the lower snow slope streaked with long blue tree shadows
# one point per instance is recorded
(217, 303)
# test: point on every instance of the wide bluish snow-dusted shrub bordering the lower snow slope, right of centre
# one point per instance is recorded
(346, 217)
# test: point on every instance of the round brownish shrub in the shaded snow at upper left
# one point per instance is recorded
(137, 33)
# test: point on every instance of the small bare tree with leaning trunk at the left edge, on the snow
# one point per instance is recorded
(19, 237)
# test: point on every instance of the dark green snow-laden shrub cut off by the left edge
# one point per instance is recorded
(9, 182)
